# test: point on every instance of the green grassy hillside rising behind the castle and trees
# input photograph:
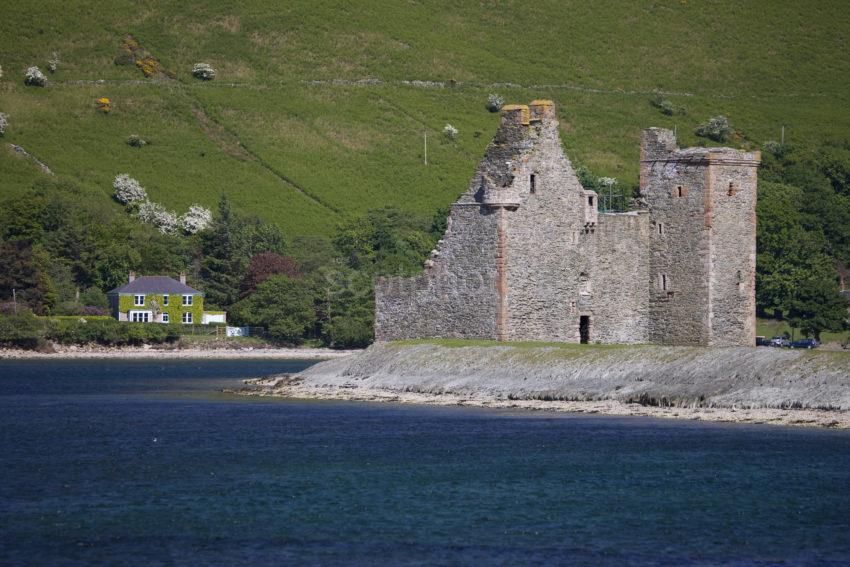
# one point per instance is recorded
(289, 134)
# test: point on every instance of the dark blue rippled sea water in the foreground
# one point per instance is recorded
(147, 463)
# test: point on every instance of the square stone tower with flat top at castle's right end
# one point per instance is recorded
(703, 246)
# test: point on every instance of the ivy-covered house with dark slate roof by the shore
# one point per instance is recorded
(160, 299)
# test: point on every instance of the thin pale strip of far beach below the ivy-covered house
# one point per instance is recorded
(149, 352)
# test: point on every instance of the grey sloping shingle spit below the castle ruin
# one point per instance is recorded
(746, 385)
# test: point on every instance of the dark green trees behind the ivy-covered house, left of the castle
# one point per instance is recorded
(64, 249)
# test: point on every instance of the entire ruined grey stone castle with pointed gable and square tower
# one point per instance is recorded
(528, 255)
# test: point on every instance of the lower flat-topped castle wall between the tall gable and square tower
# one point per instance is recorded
(620, 294)
